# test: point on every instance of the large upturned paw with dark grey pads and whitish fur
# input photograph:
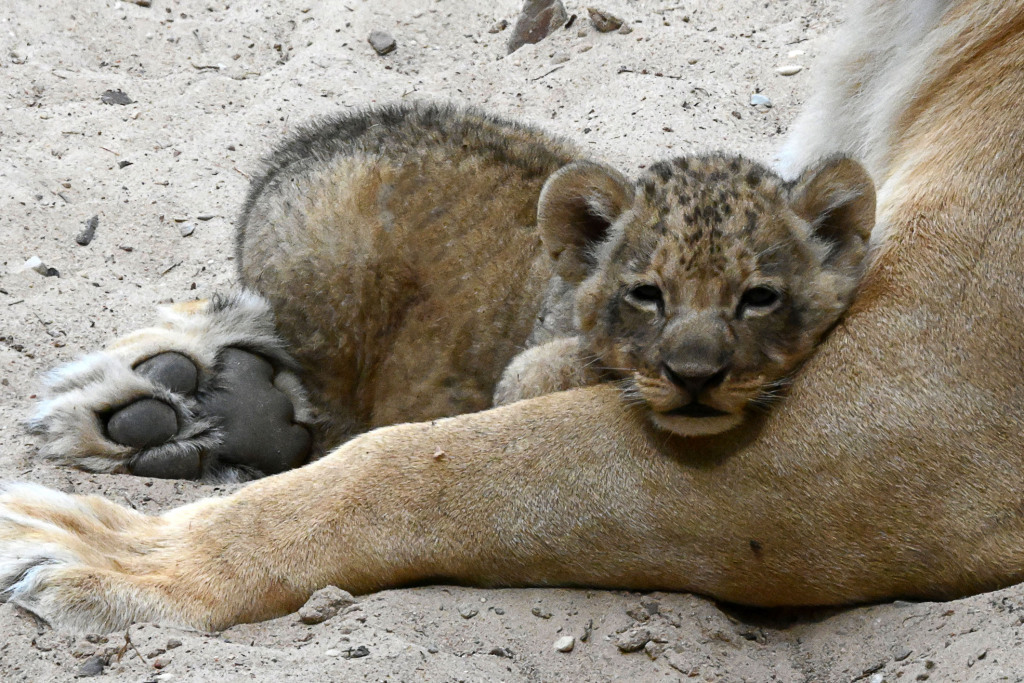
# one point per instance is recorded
(208, 394)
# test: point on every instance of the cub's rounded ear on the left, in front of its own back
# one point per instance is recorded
(578, 205)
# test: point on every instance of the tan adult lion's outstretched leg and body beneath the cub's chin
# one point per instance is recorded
(895, 468)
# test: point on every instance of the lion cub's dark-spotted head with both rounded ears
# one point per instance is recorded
(705, 284)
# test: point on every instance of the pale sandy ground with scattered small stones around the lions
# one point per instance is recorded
(212, 84)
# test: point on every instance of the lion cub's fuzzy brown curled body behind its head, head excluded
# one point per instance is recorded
(400, 251)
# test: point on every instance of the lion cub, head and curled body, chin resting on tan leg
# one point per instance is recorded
(410, 254)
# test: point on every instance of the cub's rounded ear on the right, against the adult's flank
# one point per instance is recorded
(837, 198)
